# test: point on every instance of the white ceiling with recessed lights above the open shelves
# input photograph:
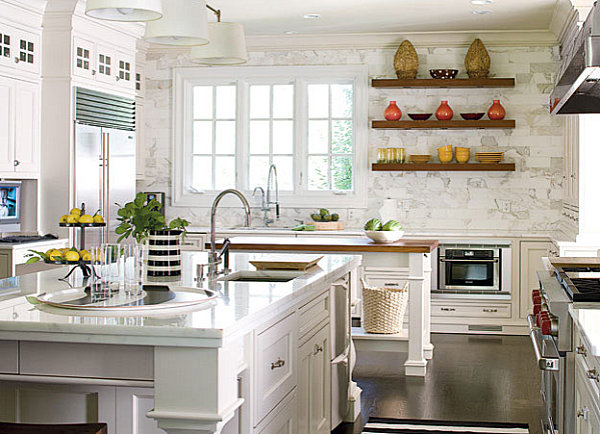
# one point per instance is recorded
(274, 17)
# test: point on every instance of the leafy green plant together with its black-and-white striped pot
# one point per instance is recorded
(142, 219)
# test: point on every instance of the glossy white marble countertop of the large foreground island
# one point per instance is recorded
(239, 306)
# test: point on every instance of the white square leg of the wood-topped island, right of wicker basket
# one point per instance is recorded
(416, 364)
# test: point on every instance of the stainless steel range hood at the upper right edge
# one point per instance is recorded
(578, 88)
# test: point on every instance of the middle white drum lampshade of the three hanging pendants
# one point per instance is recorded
(184, 22)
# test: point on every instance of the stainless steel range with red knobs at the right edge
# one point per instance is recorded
(551, 332)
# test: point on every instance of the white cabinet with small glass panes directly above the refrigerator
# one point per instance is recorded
(103, 63)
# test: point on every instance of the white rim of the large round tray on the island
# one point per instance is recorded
(119, 301)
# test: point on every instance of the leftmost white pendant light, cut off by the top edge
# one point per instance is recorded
(124, 10)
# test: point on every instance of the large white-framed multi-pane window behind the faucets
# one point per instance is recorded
(231, 124)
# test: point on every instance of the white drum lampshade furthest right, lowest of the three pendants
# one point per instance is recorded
(227, 45)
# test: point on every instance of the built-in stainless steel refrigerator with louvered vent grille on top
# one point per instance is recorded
(104, 158)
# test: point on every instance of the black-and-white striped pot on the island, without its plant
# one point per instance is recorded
(164, 253)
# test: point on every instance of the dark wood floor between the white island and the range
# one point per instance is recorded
(471, 378)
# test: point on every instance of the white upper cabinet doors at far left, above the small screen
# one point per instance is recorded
(20, 128)
